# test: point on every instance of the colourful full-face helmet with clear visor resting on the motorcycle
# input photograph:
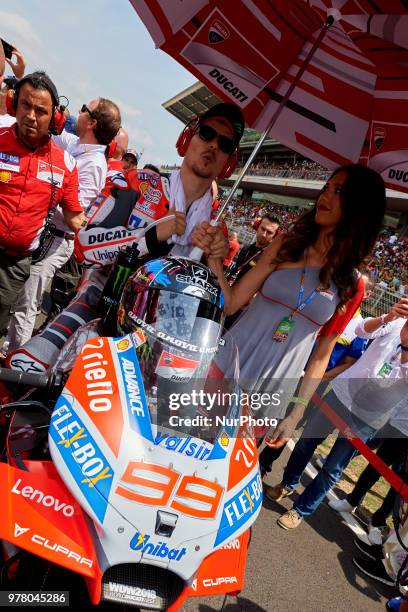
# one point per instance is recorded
(177, 300)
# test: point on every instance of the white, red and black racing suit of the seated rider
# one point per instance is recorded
(108, 232)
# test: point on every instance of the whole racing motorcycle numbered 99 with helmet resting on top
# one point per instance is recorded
(131, 473)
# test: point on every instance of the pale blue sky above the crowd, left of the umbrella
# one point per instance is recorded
(94, 48)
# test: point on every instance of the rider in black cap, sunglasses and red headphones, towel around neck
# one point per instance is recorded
(209, 145)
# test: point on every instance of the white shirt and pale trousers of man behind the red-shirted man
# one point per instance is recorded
(59, 246)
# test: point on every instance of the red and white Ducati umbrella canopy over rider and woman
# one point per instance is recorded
(351, 100)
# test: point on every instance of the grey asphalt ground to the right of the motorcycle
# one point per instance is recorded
(308, 569)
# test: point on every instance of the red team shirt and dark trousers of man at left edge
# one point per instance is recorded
(31, 183)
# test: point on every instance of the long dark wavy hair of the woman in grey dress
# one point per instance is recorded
(363, 207)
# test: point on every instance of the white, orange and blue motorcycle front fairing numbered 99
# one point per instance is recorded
(156, 496)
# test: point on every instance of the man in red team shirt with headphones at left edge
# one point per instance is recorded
(35, 175)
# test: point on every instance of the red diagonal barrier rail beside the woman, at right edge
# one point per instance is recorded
(395, 481)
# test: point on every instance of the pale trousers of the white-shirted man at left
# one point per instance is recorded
(41, 274)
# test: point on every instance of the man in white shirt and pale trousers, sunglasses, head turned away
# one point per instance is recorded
(97, 125)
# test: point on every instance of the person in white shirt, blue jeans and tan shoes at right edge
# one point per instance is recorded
(364, 396)
